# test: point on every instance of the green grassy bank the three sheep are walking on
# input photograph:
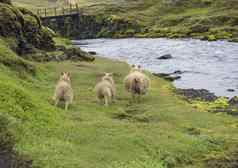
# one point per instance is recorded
(161, 131)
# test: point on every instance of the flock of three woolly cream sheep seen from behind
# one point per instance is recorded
(136, 83)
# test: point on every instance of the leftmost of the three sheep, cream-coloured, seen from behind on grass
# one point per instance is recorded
(63, 90)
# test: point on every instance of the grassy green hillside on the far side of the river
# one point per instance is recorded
(204, 19)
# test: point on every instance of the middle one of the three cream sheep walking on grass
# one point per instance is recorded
(106, 90)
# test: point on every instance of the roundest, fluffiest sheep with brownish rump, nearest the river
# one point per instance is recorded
(136, 82)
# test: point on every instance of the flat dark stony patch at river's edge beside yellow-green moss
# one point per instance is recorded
(197, 94)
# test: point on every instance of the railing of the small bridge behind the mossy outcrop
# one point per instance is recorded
(58, 11)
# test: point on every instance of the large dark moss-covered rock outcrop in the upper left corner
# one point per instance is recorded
(25, 28)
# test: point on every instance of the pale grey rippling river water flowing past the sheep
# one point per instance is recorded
(206, 65)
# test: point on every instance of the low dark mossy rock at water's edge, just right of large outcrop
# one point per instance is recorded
(78, 55)
